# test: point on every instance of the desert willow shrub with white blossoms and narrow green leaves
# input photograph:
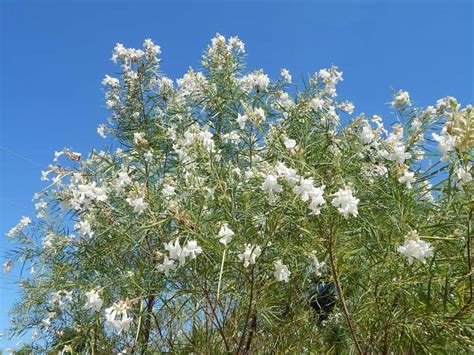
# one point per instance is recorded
(239, 214)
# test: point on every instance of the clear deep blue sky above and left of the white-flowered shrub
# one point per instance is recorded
(55, 54)
